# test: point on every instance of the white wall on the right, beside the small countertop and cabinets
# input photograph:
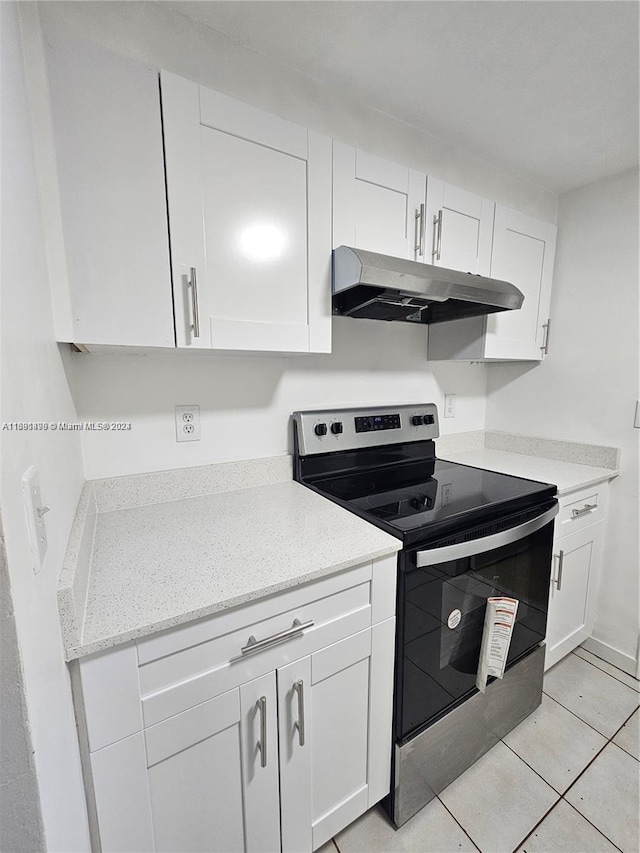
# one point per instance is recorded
(587, 387)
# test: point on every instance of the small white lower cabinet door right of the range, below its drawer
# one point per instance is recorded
(574, 579)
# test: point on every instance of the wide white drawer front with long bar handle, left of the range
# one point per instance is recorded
(178, 681)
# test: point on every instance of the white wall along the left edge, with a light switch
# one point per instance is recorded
(34, 388)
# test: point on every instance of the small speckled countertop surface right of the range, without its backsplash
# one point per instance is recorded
(567, 476)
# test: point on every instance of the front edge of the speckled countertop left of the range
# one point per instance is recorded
(83, 649)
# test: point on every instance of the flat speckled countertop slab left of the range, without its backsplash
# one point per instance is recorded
(156, 566)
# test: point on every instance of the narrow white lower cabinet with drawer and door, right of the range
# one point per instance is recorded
(575, 573)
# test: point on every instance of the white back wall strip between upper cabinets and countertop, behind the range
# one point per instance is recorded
(246, 401)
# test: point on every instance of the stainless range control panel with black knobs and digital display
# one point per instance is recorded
(331, 430)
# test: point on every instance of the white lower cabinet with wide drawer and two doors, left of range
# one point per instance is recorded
(296, 750)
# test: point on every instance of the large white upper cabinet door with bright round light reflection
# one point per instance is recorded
(250, 224)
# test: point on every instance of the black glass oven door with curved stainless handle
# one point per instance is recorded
(442, 593)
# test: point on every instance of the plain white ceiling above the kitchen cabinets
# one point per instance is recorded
(545, 88)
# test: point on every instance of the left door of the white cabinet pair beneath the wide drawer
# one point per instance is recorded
(209, 784)
